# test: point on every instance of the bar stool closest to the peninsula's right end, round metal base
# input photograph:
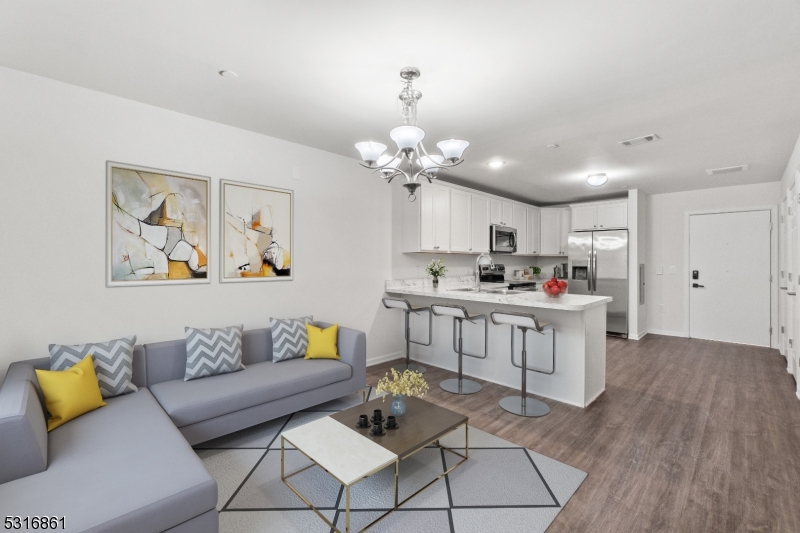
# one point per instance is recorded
(522, 405)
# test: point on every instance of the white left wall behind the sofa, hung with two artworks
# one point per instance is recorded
(55, 140)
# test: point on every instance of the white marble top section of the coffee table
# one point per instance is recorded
(342, 451)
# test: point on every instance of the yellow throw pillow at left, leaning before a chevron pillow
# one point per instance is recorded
(70, 393)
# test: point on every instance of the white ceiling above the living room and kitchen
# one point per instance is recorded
(718, 80)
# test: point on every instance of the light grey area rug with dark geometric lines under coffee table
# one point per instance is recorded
(501, 488)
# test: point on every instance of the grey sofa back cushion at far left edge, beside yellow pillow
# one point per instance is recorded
(23, 431)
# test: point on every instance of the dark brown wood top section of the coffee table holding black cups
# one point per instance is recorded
(423, 423)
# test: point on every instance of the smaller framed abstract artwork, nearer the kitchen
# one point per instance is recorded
(256, 232)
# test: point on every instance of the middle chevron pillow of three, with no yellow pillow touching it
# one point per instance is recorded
(213, 351)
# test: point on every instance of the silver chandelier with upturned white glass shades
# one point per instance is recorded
(411, 161)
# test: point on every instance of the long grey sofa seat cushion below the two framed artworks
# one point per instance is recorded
(189, 402)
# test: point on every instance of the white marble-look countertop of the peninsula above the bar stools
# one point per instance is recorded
(565, 302)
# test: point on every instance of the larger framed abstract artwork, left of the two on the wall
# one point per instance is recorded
(158, 226)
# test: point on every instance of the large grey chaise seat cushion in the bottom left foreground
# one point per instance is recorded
(123, 468)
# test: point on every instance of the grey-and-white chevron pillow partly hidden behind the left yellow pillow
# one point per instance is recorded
(113, 363)
